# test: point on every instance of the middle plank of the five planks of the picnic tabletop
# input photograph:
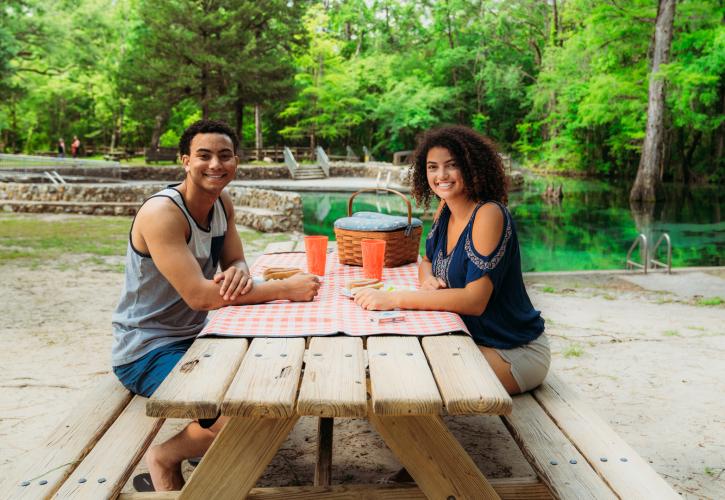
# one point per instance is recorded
(334, 381)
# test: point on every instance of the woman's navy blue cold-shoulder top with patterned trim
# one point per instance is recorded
(509, 319)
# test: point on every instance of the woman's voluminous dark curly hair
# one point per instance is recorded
(475, 155)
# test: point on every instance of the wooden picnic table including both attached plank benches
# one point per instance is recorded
(403, 385)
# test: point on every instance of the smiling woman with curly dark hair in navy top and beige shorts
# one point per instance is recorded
(472, 264)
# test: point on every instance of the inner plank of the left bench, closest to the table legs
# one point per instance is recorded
(107, 467)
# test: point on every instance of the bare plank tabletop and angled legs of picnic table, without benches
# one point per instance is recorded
(401, 384)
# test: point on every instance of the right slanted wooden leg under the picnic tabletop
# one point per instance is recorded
(432, 456)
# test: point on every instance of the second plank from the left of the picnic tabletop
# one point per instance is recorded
(266, 383)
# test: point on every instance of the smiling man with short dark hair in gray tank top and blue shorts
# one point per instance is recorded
(177, 240)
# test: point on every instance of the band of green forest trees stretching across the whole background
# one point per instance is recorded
(560, 84)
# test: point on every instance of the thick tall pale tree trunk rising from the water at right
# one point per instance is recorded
(647, 185)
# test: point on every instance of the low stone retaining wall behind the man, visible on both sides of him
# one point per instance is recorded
(261, 209)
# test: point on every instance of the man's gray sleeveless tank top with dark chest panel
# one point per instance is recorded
(151, 313)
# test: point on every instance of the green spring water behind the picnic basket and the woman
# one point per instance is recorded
(592, 227)
